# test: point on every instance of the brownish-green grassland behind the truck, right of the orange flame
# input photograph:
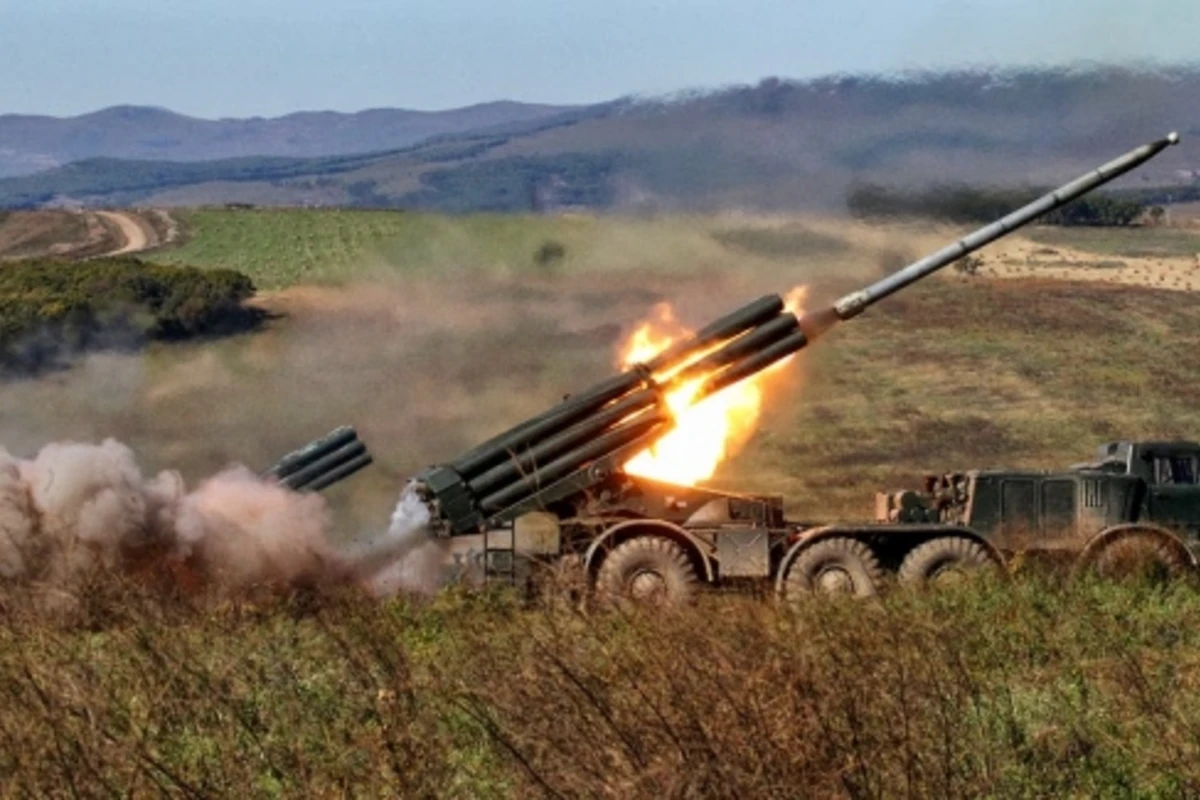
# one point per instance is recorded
(977, 374)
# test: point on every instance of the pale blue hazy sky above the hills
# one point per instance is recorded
(242, 58)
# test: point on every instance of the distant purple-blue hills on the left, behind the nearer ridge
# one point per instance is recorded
(29, 143)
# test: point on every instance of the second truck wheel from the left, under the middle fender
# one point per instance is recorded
(835, 567)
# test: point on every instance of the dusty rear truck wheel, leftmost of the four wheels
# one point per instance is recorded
(647, 570)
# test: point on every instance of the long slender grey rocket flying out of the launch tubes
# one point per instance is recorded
(859, 302)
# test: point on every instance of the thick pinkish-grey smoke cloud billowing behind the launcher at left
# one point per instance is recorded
(80, 510)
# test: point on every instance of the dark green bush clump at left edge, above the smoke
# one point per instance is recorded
(51, 309)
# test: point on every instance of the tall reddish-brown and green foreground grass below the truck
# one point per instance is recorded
(991, 690)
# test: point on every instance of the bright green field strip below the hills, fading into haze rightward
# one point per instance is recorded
(280, 248)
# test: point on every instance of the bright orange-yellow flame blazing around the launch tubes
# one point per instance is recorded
(707, 432)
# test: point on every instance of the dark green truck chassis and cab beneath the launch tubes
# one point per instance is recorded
(1138, 500)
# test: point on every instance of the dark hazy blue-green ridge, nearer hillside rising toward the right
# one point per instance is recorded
(776, 146)
